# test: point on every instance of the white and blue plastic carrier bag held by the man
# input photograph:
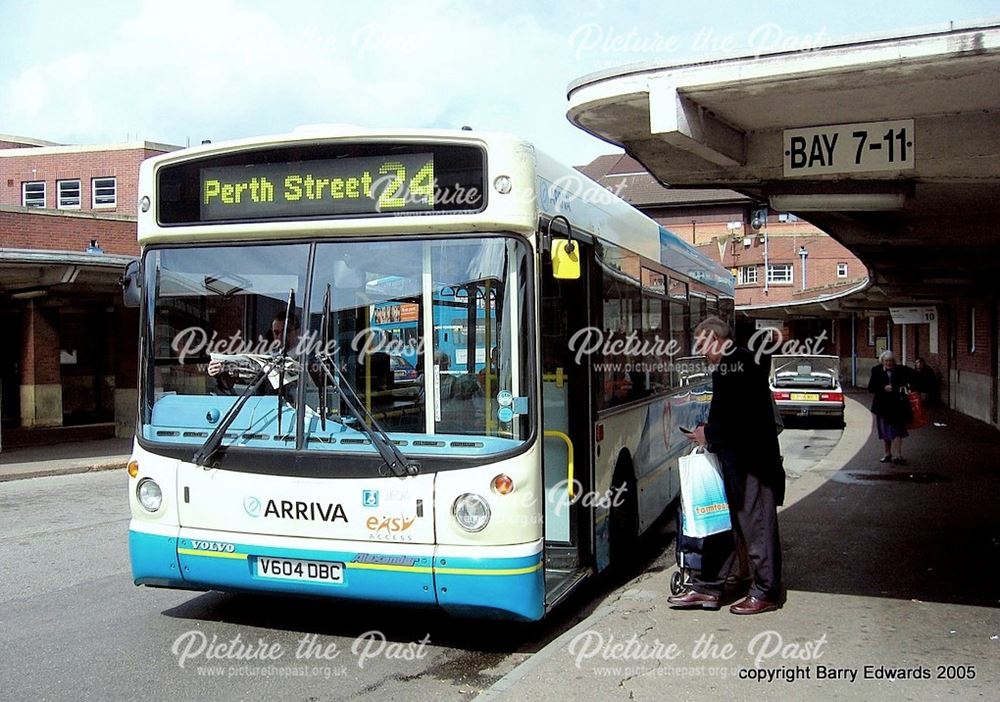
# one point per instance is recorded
(704, 508)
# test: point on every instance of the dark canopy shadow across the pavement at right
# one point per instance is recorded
(929, 530)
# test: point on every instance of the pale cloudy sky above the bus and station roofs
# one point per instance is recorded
(180, 71)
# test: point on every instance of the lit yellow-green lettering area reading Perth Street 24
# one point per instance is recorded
(365, 185)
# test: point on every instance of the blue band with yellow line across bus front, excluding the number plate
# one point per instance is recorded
(492, 587)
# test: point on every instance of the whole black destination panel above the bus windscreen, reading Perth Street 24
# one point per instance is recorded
(322, 180)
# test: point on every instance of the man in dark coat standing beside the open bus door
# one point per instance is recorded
(741, 431)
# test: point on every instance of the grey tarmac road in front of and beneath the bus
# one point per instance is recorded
(74, 627)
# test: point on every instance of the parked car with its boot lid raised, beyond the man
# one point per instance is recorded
(807, 386)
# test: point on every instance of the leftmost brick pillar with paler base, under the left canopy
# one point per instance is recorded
(41, 382)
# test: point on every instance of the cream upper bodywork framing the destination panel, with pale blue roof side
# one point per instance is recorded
(556, 190)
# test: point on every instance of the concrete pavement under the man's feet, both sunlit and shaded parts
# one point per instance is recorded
(892, 577)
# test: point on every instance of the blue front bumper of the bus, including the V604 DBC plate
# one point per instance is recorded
(492, 581)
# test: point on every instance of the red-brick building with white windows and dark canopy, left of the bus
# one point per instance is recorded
(67, 228)
